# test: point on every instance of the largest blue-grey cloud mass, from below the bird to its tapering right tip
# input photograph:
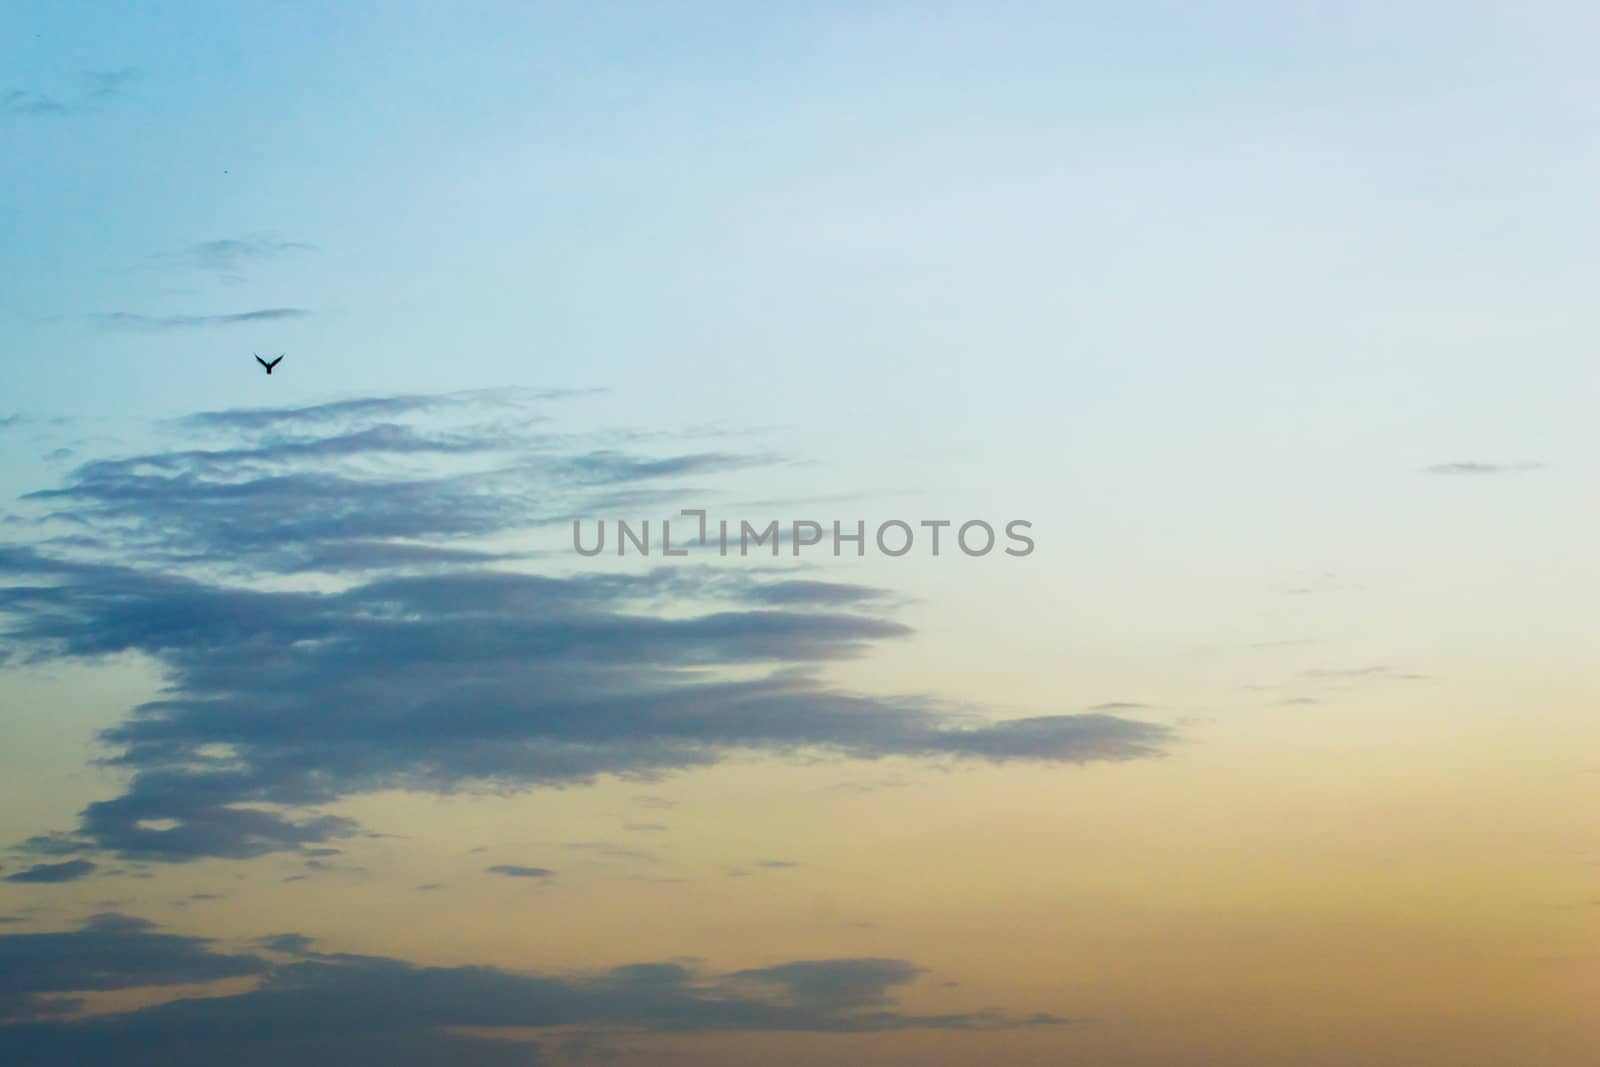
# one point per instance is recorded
(281, 701)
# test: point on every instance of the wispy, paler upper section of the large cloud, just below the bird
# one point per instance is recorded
(305, 498)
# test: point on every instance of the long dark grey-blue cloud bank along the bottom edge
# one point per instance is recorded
(374, 1010)
